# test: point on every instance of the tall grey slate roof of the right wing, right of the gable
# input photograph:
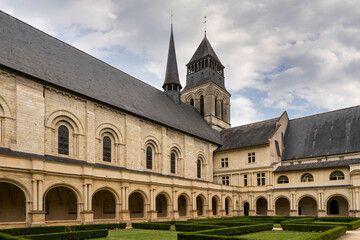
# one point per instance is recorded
(330, 133)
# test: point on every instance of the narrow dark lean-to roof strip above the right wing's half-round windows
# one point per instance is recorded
(318, 165)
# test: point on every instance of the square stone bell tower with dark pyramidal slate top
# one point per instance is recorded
(205, 88)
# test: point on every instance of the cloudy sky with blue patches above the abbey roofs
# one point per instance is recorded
(298, 56)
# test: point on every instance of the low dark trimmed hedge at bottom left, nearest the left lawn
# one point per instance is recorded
(79, 235)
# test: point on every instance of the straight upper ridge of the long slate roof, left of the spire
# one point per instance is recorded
(77, 49)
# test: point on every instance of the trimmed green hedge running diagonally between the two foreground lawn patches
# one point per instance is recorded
(224, 233)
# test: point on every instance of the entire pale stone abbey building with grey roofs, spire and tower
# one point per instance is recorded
(83, 142)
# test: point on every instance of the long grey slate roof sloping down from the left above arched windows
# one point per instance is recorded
(35, 53)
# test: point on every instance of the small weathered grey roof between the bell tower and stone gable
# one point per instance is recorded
(248, 135)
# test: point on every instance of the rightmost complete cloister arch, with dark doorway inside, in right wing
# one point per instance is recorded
(338, 205)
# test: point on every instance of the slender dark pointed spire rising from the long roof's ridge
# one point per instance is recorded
(172, 82)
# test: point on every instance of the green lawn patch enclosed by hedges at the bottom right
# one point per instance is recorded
(279, 235)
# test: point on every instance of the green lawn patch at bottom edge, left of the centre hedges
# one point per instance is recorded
(133, 233)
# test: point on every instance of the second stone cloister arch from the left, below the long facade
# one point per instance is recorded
(61, 202)
